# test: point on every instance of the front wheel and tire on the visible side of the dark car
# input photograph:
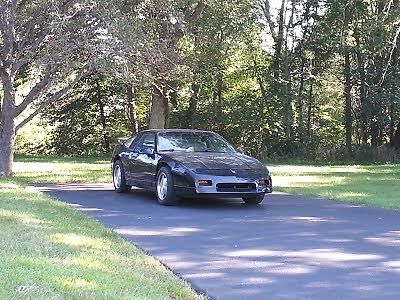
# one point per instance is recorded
(165, 187)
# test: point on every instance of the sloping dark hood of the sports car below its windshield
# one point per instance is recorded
(213, 160)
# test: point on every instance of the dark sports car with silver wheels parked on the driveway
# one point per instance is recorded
(188, 163)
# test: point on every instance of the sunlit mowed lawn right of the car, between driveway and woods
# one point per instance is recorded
(377, 185)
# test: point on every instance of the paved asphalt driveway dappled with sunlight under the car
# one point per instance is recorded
(288, 248)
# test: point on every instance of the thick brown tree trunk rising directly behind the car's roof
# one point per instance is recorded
(158, 114)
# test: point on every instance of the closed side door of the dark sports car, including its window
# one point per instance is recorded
(143, 161)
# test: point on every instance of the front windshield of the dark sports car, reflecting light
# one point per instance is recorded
(192, 142)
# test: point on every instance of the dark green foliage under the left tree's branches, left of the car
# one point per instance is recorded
(90, 119)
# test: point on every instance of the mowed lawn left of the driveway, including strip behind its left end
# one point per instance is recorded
(49, 250)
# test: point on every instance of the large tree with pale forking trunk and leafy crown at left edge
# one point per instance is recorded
(44, 50)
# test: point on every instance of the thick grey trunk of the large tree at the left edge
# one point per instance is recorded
(7, 125)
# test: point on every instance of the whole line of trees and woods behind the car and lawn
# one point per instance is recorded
(310, 78)
